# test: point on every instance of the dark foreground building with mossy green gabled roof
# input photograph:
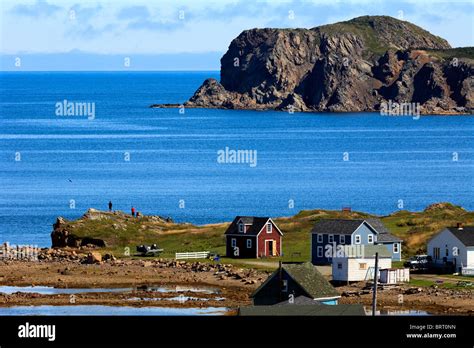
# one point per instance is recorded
(292, 280)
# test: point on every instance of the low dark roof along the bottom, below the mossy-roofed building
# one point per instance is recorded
(303, 310)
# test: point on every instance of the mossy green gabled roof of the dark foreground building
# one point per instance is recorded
(309, 278)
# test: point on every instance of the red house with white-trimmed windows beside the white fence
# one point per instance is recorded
(251, 237)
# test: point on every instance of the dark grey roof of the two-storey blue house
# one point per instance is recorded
(345, 226)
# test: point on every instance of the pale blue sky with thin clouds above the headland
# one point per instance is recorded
(185, 34)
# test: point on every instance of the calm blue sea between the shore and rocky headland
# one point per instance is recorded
(70, 163)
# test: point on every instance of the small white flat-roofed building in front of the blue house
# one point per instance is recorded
(360, 264)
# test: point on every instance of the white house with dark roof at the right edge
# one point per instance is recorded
(454, 245)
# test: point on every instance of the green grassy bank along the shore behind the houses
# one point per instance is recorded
(120, 230)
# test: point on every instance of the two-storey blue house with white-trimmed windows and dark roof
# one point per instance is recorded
(328, 234)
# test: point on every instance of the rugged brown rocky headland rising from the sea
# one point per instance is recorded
(344, 67)
